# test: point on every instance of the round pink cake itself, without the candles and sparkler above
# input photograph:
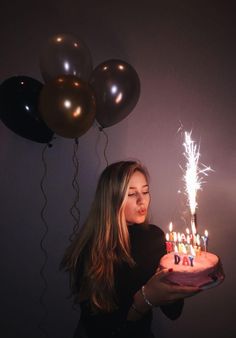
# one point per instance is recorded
(197, 271)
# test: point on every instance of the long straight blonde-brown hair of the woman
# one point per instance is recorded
(104, 237)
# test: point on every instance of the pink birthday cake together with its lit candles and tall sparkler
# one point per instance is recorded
(187, 253)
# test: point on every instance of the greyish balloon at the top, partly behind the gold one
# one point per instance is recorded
(64, 54)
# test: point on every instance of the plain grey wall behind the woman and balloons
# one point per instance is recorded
(184, 53)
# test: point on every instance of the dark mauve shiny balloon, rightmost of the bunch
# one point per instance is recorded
(117, 88)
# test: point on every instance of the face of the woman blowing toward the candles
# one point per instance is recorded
(137, 200)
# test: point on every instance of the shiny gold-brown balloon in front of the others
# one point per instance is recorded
(67, 105)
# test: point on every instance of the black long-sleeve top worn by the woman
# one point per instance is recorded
(147, 247)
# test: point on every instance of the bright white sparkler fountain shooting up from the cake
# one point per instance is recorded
(193, 176)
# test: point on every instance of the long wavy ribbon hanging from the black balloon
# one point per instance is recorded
(45, 284)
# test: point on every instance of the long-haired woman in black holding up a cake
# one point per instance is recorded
(113, 261)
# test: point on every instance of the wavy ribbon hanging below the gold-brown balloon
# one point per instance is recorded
(74, 210)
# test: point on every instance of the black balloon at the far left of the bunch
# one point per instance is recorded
(19, 108)
